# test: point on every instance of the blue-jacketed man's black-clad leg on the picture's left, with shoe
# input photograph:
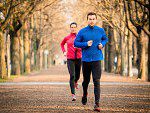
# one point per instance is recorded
(86, 67)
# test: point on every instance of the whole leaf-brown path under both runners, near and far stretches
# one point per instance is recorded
(49, 92)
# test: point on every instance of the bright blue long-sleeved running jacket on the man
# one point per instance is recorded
(98, 36)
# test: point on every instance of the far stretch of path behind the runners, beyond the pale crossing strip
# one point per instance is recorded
(59, 73)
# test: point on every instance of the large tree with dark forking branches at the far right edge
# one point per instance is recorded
(137, 21)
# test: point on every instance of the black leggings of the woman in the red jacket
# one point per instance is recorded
(74, 67)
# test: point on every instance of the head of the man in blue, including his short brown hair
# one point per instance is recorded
(91, 18)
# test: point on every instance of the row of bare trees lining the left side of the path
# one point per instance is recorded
(21, 30)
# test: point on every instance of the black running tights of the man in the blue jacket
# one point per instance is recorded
(95, 68)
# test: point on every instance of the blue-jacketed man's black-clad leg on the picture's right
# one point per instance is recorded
(96, 73)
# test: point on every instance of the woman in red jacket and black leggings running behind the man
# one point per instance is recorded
(73, 58)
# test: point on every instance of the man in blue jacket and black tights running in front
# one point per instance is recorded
(91, 39)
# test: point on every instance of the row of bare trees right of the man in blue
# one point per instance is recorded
(127, 25)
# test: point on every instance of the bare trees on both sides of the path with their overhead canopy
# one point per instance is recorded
(36, 25)
